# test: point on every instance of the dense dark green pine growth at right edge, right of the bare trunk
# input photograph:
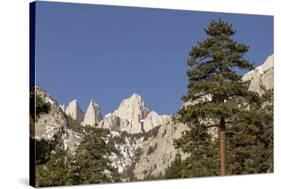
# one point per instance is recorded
(251, 139)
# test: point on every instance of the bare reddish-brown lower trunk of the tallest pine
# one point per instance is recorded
(222, 146)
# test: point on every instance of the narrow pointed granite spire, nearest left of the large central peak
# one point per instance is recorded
(93, 115)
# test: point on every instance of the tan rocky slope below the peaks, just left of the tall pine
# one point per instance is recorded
(158, 151)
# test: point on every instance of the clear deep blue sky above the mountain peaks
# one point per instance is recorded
(106, 53)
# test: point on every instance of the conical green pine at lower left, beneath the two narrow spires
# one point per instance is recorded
(92, 164)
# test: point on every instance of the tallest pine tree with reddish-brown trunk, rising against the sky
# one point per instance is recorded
(214, 82)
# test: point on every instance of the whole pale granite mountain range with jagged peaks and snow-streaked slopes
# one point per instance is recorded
(147, 147)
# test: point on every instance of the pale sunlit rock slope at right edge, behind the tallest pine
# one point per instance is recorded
(261, 77)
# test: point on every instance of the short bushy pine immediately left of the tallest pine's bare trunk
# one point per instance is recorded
(202, 159)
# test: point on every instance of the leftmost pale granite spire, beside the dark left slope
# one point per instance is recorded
(73, 110)
